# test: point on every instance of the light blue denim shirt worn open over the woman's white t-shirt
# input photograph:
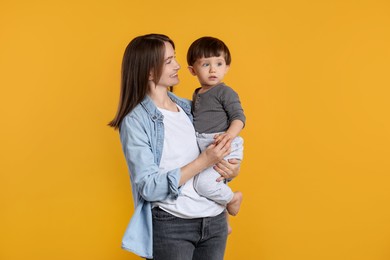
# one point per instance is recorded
(142, 138)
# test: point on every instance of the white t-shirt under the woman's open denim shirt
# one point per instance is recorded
(180, 148)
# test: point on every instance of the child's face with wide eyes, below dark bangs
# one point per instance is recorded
(210, 71)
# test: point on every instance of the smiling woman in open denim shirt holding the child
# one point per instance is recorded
(171, 221)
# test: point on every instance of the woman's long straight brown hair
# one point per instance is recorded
(143, 55)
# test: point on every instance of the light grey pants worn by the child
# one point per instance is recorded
(205, 182)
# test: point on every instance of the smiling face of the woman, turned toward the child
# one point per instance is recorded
(169, 76)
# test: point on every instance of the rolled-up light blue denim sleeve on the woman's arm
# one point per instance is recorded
(139, 142)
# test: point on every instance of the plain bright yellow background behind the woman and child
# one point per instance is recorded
(313, 77)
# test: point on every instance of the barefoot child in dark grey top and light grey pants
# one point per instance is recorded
(217, 115)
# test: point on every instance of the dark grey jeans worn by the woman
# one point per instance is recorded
(188, 239)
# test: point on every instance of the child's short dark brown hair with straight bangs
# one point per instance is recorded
(206, 47)
